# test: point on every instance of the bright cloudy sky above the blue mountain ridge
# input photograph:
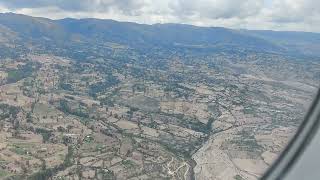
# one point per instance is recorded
(294, 15)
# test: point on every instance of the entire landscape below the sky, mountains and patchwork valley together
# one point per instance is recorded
(101, 99)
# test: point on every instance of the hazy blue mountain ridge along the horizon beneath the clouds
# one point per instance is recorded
(141, 36)
